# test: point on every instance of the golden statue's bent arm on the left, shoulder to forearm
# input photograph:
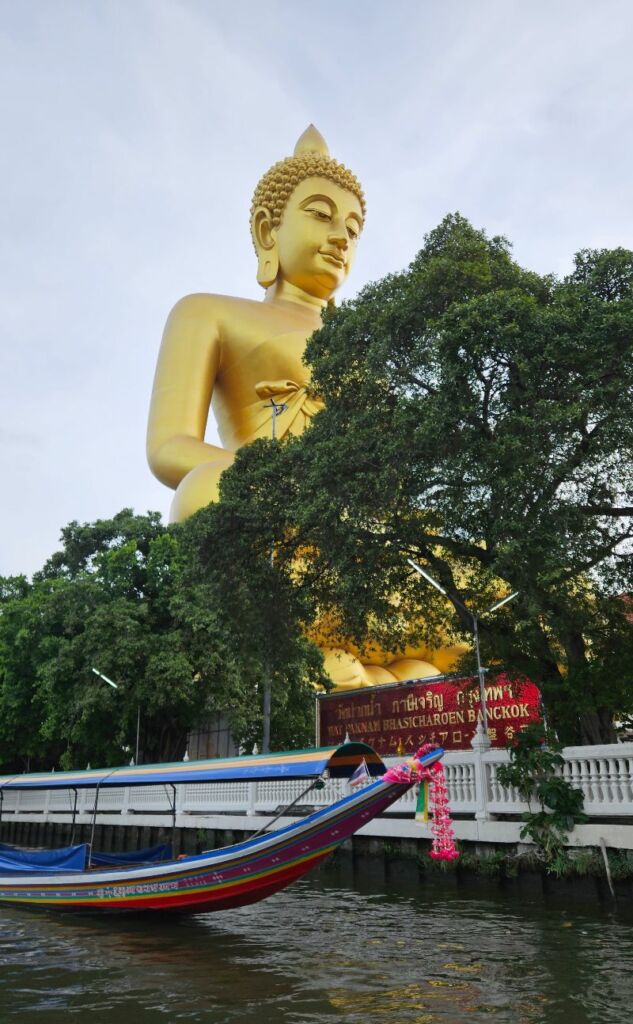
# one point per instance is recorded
(184, 383)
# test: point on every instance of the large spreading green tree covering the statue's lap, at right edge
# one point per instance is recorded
(479, 420)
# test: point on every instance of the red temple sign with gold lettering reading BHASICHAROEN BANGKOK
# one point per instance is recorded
(397, 719)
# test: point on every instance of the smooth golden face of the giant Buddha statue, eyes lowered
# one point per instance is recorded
(317, 239)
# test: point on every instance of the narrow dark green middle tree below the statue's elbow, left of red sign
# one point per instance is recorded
(234, 585)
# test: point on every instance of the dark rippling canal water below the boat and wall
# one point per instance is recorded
(333, 948)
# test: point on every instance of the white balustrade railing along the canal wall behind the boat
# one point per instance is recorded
(605, 775)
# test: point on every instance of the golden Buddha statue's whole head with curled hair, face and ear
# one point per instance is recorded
(307, 217)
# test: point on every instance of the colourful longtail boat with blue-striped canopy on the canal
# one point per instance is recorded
(217, 880)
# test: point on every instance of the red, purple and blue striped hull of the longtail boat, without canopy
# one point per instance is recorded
(216, 881)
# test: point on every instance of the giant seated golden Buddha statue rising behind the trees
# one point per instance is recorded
(244, 358)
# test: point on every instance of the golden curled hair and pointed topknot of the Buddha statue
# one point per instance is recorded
(311, 159)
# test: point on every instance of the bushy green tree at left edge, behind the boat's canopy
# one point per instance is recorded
(104, 602)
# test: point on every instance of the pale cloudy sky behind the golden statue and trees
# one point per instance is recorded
(133, 134)
